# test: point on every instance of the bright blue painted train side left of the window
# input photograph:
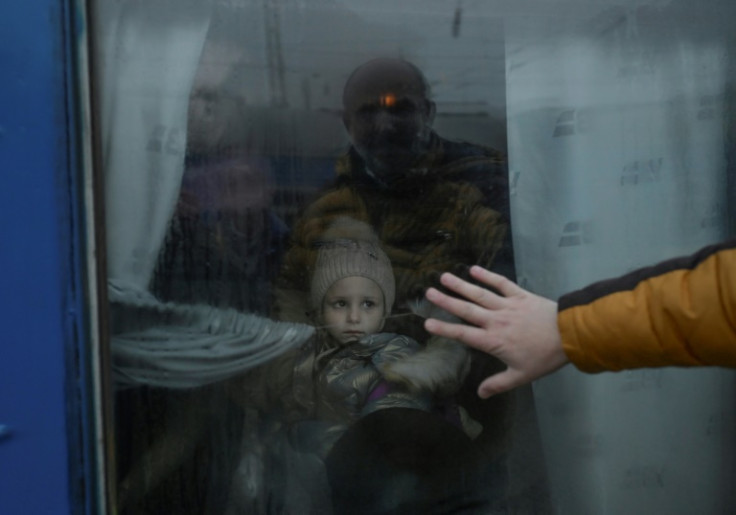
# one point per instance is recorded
(48, 424)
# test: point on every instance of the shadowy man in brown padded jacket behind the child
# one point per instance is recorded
(427, 197)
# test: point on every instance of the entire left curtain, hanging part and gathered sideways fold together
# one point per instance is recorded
(147, 54)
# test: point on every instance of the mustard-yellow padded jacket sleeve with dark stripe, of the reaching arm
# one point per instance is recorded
(681, 312)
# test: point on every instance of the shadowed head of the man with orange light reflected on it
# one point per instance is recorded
(388, 114)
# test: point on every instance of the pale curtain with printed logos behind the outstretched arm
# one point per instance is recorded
(617, 159)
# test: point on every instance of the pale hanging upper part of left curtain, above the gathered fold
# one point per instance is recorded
(147, 55)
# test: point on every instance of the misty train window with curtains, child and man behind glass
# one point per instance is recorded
(284, 179)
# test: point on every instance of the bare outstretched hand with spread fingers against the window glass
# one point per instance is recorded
(519, 328)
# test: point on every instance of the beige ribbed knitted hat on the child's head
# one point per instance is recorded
(349, 248)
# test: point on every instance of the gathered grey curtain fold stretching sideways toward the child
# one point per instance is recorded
(176, 346)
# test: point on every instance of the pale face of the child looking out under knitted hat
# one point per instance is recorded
(353, 307)
